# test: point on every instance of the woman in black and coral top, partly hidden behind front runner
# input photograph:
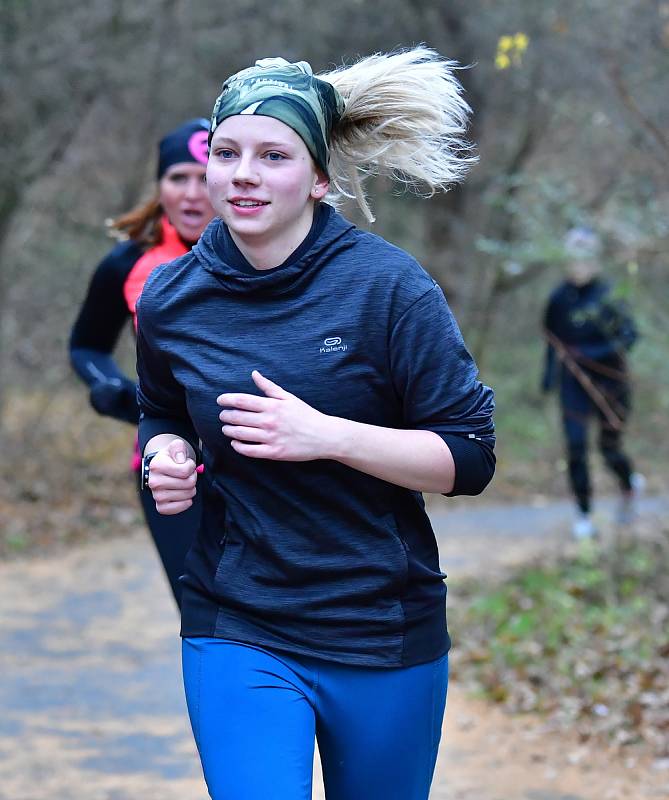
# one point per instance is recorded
(158, 231)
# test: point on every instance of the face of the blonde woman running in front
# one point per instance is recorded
(263, 183)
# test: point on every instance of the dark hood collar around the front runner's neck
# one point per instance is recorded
(214, 253)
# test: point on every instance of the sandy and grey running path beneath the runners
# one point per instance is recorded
(92, 706)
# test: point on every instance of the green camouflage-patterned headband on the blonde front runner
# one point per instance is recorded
(288, 92)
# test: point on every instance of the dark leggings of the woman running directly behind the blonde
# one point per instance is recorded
(172, 535)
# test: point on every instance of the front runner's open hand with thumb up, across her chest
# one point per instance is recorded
(278, 426)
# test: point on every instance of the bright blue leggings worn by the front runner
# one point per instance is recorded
(256, 714)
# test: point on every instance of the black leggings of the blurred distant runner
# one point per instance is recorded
(577, 407)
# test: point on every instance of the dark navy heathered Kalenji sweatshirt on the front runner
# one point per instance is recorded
(312, 558)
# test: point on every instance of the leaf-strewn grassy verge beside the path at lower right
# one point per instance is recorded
(584, 640)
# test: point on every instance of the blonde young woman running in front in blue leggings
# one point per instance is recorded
(323, 372)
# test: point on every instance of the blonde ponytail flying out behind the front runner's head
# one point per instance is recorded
(404, 117)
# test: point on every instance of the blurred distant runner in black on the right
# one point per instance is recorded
(588, 333)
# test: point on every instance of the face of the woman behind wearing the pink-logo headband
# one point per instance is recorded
(184, 198)
